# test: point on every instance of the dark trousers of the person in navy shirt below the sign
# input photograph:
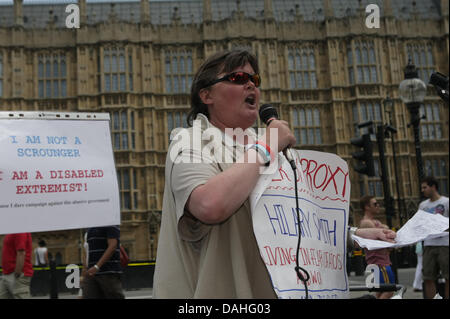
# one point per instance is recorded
(103, 286)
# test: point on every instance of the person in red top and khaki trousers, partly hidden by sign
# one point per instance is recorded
(17, 267)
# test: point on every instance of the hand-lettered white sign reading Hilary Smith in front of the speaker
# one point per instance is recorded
(324, 194)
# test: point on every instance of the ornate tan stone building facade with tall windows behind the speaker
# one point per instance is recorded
(323, 68)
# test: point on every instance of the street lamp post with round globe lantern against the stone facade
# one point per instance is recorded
(412, 91)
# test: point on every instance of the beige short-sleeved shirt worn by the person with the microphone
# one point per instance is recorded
(195, 260)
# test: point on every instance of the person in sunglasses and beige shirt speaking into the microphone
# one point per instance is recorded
(207, 248)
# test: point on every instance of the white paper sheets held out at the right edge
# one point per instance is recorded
(421, 226)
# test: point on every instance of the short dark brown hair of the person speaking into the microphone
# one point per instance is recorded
(221, 62)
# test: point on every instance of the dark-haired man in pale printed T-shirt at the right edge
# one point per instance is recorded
(435, 250)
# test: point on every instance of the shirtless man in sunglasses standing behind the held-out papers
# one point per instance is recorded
(378, 257)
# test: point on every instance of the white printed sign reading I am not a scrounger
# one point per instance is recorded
(56, 173)
